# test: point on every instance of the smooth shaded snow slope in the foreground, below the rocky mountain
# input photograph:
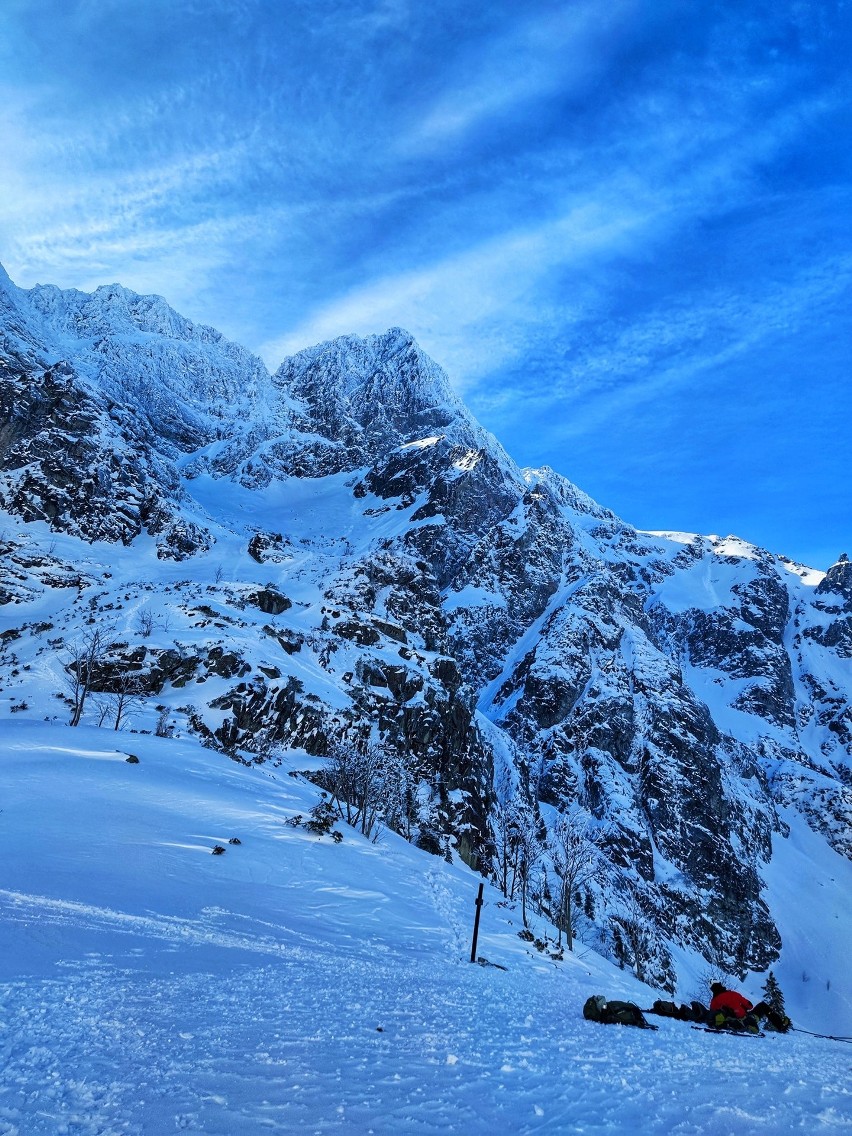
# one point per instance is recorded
(297, 985)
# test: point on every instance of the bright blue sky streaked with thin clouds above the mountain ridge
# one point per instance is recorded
(624, 228)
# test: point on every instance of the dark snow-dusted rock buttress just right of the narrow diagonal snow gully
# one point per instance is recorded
(607, 720)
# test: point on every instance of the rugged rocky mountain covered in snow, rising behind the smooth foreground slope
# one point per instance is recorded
(339, 552)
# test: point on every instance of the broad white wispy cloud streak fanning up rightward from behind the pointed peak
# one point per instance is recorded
(480, 308)
